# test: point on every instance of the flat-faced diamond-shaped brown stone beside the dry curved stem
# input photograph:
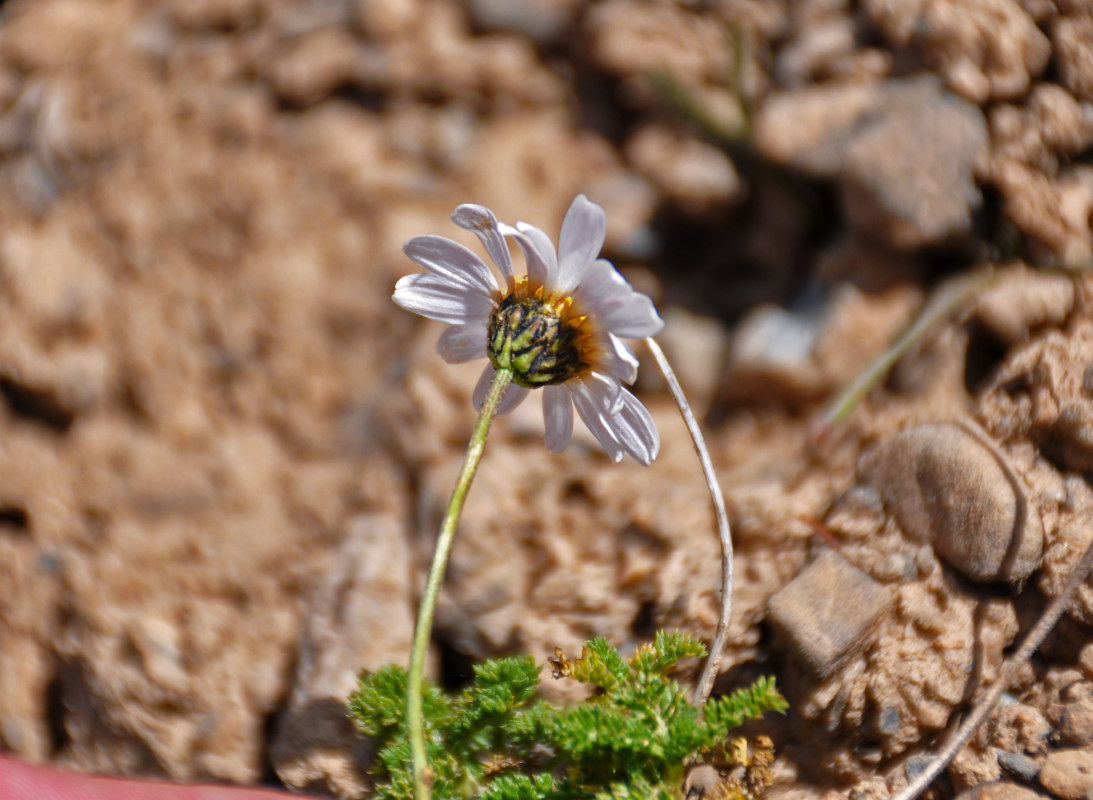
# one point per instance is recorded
(827, 614)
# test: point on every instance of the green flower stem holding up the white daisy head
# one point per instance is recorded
(424, 631)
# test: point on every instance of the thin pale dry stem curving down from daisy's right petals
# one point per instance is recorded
(710, 672)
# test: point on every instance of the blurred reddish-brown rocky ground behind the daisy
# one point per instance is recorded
(225, 452)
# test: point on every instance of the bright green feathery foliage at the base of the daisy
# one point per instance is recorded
(630, 742)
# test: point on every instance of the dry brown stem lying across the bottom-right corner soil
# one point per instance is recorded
(986, 704)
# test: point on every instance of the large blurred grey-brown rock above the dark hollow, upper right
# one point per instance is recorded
(904, 152)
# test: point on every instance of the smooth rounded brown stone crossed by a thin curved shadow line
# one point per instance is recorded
(945, 484)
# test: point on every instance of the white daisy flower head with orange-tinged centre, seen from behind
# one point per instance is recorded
(559, 328)
